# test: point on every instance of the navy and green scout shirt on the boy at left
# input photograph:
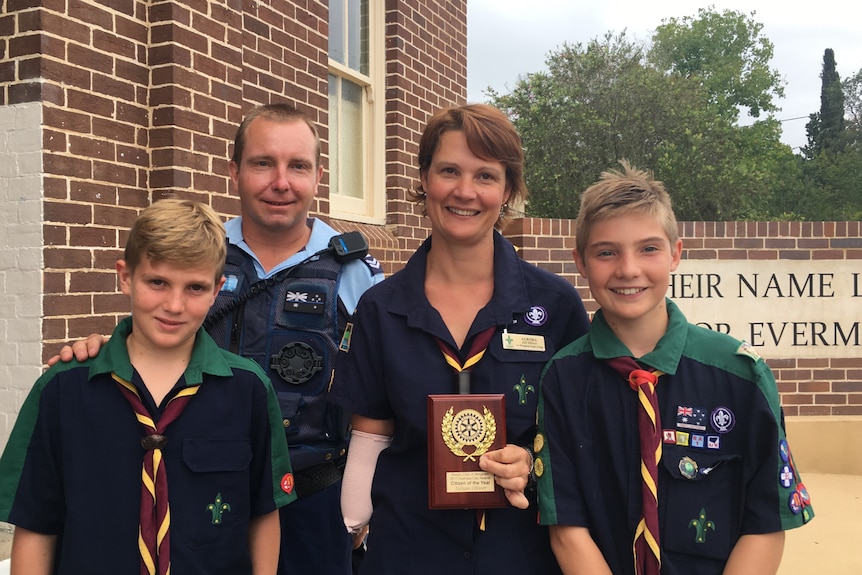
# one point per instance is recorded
(72, 466)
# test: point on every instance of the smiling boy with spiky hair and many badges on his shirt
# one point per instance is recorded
(676, 462)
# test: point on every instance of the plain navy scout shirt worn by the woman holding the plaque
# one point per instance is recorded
(394, 363)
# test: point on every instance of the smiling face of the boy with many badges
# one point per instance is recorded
(627, 260)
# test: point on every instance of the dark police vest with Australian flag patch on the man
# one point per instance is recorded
(291, 325)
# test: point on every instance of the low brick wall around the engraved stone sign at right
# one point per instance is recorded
(808, 386)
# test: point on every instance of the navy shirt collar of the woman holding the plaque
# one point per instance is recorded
(510, 292)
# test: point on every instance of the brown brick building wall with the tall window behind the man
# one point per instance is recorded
(142, 99)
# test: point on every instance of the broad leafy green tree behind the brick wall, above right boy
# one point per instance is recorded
(610, 99)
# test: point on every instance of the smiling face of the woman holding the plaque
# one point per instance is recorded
(464, 193)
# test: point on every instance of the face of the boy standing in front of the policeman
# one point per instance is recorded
(169, 302)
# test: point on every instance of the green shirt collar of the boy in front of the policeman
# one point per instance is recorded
(206, 357)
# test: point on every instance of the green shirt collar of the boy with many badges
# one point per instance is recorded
(667, 352)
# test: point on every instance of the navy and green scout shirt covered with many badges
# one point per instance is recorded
(725, 471)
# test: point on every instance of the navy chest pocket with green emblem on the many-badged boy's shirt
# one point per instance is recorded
(700, 494)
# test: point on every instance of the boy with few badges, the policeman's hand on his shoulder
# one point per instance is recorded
(162, 453)
